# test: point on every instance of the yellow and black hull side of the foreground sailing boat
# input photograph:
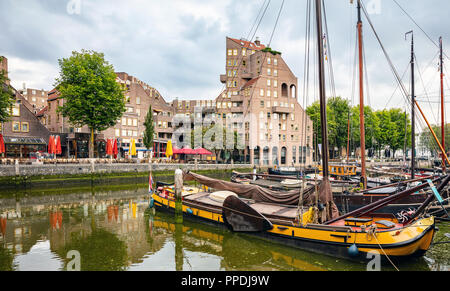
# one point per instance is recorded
(401, 244)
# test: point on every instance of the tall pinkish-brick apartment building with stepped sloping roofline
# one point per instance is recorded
(260, 100)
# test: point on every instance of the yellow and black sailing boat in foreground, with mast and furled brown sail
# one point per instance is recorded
(319, 228)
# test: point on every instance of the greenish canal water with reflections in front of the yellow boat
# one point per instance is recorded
(111, 228)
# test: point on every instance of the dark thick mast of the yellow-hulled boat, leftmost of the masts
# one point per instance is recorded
(323, 101)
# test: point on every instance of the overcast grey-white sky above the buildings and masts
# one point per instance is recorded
(178, 46)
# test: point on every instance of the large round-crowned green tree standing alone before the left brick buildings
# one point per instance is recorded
(92, 97)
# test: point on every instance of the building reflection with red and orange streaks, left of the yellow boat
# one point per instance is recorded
(121, 214)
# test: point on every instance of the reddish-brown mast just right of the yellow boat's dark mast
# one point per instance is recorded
(361, 99)
